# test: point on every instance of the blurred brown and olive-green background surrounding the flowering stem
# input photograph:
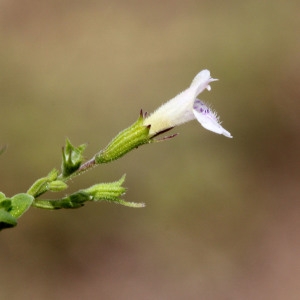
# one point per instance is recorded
(222, 215)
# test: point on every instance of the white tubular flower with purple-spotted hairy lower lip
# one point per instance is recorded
(186, 107)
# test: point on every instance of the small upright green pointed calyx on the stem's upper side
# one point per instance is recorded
(72, 158)
